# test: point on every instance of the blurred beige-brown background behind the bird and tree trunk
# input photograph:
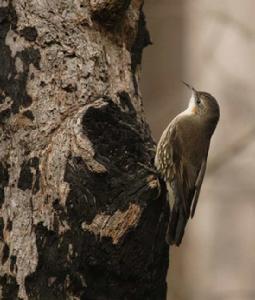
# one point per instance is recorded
(210, 44)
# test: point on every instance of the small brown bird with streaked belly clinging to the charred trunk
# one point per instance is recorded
(181, 158)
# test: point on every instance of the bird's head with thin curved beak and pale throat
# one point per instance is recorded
(204, 106)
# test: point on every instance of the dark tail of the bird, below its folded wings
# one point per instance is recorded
(176, 226)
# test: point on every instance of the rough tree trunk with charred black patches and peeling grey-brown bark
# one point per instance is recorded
(81, 217)
